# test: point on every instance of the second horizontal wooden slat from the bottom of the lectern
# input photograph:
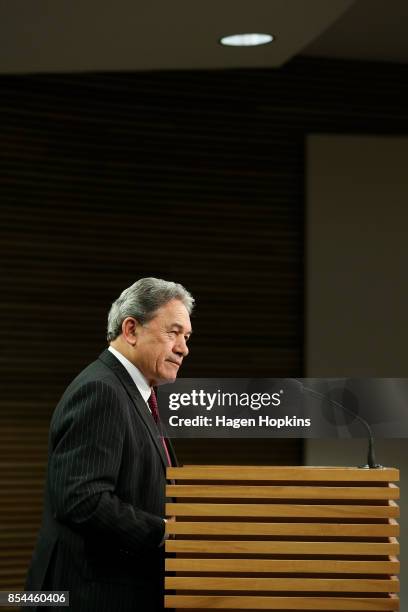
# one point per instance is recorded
(198, 583)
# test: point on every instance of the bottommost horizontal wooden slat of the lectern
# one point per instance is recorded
(355, 604)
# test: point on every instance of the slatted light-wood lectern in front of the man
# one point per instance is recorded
(282, 538)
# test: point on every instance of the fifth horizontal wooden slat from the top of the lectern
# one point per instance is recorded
(283, 548)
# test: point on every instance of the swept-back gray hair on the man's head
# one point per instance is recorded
(141, 301)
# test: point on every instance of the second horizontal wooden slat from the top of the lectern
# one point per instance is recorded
(283, 492)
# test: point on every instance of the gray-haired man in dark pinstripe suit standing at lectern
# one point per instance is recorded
(103, 527)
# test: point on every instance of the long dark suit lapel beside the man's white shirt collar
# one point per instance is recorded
(110, 360)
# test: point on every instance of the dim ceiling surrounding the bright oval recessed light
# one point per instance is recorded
(69, 36)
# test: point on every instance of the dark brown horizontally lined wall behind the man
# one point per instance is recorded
(196, 177)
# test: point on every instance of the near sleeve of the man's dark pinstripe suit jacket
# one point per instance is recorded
(84, 466)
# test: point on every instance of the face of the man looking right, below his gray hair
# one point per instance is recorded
(161, 344)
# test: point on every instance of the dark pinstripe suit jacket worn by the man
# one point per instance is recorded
(104, 497)
